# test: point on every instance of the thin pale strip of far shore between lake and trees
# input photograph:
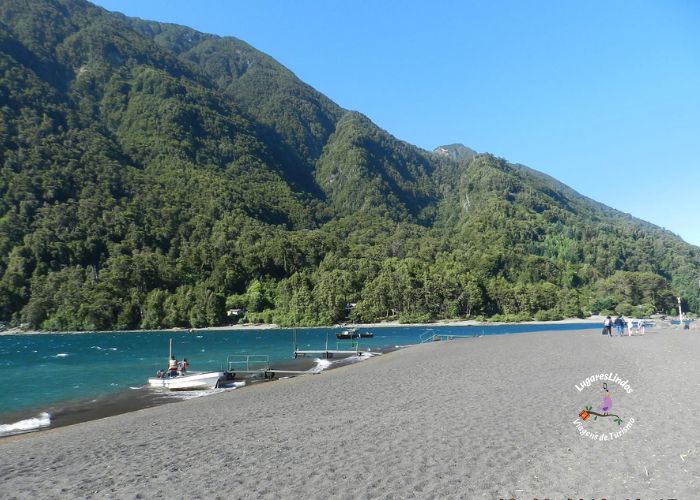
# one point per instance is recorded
(272, 326)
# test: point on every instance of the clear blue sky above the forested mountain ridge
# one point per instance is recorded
(602, 95)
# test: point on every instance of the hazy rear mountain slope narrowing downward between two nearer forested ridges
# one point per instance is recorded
(294, 120)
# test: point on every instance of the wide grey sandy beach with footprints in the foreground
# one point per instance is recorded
(490, 417)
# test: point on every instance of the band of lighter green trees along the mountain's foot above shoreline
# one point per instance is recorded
(314, 277)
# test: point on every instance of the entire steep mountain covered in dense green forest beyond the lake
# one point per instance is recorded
(154, 176)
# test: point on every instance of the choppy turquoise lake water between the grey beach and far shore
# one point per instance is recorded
(47, 369)
